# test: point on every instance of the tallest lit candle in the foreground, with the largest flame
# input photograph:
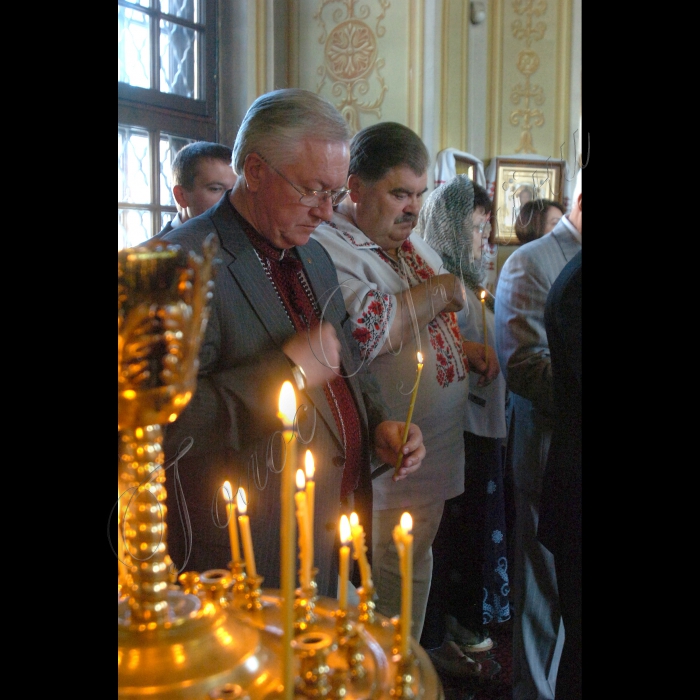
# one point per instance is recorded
(287, 411)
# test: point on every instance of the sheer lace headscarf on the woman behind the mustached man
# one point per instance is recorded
(445, 222)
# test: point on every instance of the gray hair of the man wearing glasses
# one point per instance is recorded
(277, 121)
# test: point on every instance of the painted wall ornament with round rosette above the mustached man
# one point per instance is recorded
(351, 59)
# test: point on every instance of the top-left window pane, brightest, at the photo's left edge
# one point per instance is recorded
(134, 62)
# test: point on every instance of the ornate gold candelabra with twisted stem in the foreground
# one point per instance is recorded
(215, 635)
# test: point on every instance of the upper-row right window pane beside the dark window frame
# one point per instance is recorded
(178, 56)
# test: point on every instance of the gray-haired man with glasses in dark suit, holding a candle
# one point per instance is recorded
(270, 322)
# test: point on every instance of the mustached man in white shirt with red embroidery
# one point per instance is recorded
(401, 302)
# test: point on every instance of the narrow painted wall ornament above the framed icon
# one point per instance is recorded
(527, 63)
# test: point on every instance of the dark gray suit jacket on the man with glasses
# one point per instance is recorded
(232, 416)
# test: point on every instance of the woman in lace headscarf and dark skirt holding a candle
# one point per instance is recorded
(470, 590)
